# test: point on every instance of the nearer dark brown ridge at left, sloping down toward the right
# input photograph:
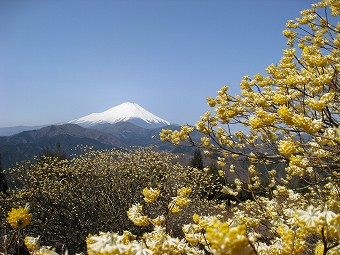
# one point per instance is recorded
(27, 144)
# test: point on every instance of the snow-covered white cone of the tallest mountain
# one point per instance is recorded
(126, 112)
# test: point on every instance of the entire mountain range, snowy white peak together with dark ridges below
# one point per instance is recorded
(122, 126)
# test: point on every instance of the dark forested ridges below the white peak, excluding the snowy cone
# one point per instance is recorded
(122, 135)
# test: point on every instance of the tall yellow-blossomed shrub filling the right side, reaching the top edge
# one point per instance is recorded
(289, 117)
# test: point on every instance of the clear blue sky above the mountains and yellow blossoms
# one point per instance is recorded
(61, 60)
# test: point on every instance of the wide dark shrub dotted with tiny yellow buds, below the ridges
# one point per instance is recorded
(92, 192)
